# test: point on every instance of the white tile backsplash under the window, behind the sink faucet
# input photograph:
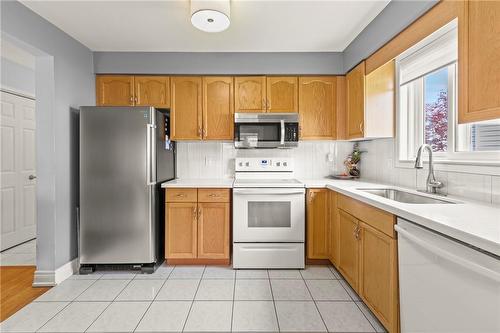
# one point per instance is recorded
(377, 164)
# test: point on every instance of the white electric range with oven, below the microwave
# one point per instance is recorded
(268, 214)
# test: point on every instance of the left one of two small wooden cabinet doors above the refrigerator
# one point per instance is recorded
(114, 90)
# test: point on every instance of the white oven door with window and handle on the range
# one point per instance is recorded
(268, 215)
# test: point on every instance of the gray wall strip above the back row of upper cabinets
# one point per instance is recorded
(218, 63)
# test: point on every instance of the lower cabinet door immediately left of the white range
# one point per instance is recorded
(213, 230)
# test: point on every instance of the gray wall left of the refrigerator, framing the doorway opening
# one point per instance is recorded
(64, 81)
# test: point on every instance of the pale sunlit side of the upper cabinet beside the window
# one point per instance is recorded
(379, 108)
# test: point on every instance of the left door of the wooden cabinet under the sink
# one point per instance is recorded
(348, 248)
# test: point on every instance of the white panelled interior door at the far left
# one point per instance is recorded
(18, 170)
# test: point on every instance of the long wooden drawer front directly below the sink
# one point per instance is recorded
(379, 219)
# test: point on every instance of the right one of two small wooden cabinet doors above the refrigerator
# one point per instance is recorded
(152, 91)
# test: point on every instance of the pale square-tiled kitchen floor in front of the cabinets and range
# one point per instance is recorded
(198, 298)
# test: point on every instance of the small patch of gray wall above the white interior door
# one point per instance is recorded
(17, 77)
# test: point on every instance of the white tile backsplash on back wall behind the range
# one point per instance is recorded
(216, 159)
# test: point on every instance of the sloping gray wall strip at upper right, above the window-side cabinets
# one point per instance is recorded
(393, 19)
